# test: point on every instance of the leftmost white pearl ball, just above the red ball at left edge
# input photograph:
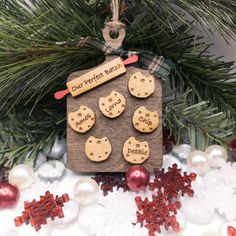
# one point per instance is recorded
(22, 176)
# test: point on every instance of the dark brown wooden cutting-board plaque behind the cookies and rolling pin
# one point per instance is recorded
(117, 130)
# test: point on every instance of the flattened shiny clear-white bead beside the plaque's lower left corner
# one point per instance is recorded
(51, 170)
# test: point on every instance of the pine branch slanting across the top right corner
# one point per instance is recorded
(214, 15)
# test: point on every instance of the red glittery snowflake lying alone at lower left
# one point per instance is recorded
(37, 212)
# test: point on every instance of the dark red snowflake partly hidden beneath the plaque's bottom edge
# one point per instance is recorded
(110, 180)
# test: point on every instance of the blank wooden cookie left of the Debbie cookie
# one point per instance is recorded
(97, 149)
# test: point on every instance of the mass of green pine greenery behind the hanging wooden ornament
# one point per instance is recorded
(34, 63)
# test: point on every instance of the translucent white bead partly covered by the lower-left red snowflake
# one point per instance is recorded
(71, 212)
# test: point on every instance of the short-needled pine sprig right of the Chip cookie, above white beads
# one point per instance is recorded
(204, 122)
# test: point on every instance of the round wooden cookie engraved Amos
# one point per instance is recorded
(81, 120)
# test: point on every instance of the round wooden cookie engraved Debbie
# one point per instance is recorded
(135, 151)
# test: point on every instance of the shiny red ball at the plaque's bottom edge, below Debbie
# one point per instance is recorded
(137, 178)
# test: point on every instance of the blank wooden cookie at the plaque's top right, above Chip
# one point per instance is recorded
(141, 86)
